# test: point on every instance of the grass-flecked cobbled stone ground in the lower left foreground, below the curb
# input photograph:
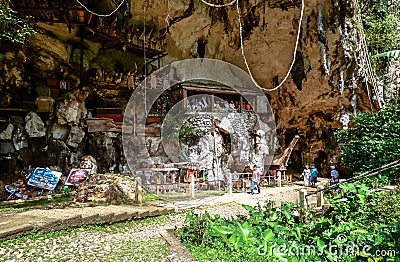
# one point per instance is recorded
(127, 241)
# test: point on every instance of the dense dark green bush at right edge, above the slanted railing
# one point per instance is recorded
(373, 141)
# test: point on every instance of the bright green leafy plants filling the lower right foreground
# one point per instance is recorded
(270, 233)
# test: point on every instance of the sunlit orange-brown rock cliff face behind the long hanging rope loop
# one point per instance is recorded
(326, 84)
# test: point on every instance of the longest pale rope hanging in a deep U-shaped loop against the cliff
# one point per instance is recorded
(294, 53)
